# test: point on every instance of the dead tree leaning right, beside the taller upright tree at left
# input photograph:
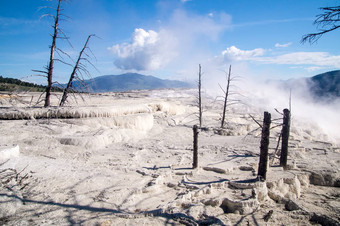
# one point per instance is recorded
(78, 67)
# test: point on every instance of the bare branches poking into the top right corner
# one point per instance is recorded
(327, 21)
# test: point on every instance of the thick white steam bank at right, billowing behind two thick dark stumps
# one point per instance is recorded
(317, 119)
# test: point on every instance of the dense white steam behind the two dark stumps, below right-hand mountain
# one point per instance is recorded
(303, 106)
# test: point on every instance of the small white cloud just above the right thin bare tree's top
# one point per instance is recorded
(232, 53)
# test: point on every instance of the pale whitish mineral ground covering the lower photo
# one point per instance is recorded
(125, 159)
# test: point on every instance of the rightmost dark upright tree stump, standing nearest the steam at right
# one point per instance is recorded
(285, 137)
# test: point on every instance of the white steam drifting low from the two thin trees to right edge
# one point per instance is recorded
(268, 95)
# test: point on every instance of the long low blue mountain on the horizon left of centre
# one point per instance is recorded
(131, 81)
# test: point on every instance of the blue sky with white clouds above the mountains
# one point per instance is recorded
(169, 38)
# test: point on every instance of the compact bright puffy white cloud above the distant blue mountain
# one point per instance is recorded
(148, 50)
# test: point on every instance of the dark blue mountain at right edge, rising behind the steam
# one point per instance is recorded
(325, 85)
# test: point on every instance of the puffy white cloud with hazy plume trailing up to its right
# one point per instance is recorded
(180, 41)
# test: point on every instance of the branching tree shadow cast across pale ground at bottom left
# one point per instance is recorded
(38, 208)
